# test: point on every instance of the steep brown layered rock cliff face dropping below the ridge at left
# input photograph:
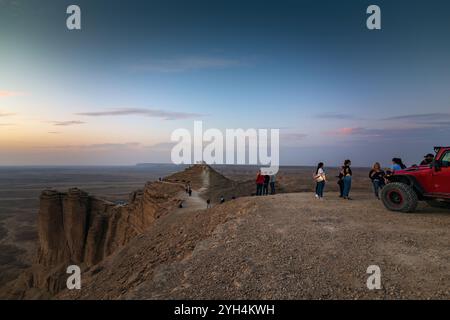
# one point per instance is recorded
(76, 228)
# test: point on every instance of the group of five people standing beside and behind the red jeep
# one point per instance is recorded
(377, 175)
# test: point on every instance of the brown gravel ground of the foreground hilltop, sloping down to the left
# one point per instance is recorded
(288, 246)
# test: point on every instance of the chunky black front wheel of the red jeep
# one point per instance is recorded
(398, 196)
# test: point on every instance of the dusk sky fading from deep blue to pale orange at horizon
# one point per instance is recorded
(113, 92)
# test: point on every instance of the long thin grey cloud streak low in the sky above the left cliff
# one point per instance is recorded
(166, 115)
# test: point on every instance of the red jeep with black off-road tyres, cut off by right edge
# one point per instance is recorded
(430, 183)
